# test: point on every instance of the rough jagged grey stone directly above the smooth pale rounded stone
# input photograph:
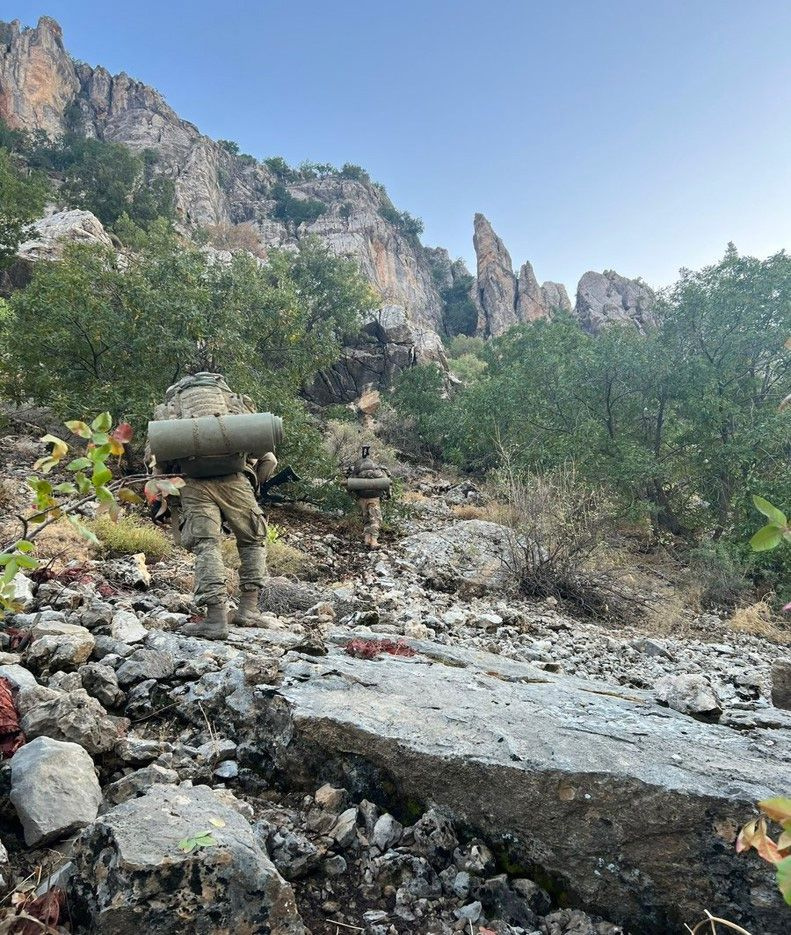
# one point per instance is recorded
(72, 716)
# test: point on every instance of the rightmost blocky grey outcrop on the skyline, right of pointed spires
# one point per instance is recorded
(607, 298)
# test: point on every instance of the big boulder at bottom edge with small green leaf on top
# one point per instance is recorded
(130, 875)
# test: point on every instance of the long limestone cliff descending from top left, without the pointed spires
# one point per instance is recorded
(41, 88)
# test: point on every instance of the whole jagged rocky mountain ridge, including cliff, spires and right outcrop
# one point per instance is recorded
(43, 88)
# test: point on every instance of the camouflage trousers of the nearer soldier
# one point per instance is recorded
(205, 504)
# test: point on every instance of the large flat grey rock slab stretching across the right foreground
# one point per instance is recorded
(628, 808)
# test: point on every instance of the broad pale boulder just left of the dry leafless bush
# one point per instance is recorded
(470, 552)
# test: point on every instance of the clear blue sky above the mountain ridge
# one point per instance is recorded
(638, 136)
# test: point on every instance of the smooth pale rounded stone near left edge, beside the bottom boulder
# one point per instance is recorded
(54, 789)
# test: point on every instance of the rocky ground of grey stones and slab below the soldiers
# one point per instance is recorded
(404, 748)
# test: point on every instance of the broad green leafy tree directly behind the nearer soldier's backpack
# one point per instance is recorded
(120, 333)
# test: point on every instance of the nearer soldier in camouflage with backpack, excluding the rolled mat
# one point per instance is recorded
(208, 502)
